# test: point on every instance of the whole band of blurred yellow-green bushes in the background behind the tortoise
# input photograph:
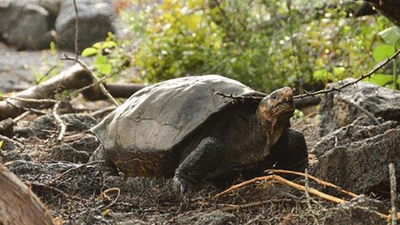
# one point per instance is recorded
(264, 44)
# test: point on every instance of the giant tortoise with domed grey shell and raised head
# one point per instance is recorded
(187, 128)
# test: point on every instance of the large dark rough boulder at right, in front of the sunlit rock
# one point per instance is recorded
(357, 158)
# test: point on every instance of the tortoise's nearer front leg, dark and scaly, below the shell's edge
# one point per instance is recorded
(203, 160)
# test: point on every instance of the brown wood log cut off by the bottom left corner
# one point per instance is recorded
(18, 205)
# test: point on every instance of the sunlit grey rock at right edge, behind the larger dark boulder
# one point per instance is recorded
(336, 112)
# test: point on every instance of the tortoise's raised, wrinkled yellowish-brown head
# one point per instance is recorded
(274, 112)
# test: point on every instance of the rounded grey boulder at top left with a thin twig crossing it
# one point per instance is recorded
(95, 21)
